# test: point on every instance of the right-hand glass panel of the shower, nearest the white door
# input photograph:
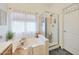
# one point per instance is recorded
(55, 30)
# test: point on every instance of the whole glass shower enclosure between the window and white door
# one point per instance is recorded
(50, 28)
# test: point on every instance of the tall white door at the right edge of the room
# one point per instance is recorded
(71, 32)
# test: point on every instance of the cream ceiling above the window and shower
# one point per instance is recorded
(36, 7)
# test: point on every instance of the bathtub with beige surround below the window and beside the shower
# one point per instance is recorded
(32, 46)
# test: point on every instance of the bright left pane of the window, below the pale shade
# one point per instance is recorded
(17, 26)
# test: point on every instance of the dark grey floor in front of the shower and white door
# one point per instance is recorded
(59, 51)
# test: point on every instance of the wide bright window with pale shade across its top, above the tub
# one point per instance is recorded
(23, 23)
